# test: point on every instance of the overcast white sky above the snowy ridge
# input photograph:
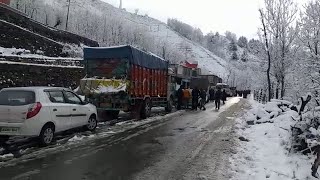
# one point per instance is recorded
(238, 16)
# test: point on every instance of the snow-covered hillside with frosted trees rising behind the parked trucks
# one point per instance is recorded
(111, 26)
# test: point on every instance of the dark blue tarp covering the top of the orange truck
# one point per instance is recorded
(134, 55)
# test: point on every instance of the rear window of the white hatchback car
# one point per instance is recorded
(17, 98)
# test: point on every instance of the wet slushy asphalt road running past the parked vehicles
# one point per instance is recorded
(188, 145)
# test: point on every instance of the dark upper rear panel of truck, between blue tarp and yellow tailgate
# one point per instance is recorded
(107, 68)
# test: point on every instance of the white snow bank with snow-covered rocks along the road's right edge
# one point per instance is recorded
(266, 155)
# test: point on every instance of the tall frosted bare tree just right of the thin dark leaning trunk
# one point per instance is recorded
(280, 18)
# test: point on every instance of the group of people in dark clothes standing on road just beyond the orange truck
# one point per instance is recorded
(199, 97)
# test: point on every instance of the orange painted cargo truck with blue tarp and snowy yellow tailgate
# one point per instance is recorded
(125, 78)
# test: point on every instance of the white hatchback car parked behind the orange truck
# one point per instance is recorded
(42, 112)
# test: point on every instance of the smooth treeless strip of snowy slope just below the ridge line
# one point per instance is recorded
(209, 62)
